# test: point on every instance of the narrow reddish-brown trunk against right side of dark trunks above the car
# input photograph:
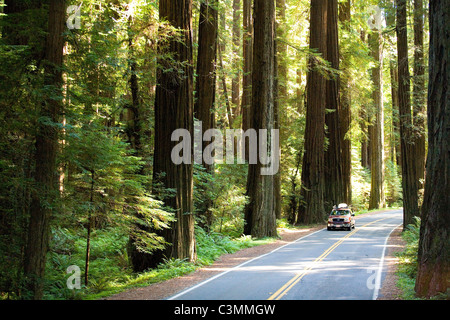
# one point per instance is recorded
(345, 114)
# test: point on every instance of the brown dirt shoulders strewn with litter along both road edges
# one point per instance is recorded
(165, 289)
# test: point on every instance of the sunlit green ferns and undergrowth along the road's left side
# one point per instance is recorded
(110, 270)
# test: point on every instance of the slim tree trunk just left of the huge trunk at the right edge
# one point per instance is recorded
(419, 90)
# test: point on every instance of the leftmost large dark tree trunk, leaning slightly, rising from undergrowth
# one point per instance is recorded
(46, 178)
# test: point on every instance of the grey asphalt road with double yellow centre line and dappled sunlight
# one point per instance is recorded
(325, 265)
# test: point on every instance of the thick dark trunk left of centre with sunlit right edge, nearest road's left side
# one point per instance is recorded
(174, 110)
